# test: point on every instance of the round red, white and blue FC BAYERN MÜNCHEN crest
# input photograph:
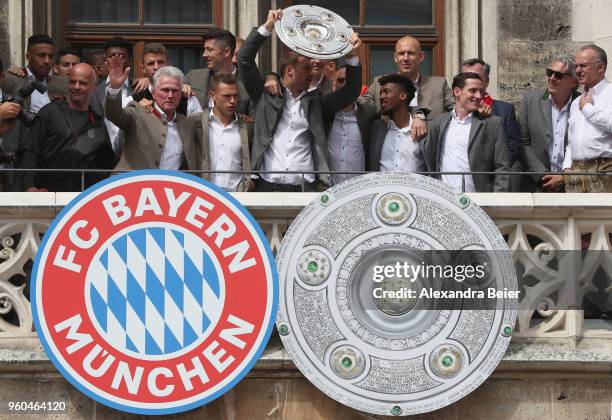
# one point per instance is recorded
(154, 292)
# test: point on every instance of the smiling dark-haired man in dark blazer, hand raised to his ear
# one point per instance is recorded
(459, 141)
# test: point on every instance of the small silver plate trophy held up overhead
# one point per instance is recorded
(314, 32)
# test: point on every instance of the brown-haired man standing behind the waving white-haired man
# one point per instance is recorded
(155, 56)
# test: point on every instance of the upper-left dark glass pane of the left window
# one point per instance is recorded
(106, 11)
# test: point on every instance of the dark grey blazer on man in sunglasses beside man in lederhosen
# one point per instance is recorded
(535, 120)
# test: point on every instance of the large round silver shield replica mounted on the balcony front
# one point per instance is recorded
(394, 294)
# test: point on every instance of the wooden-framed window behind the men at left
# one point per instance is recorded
(87, 25)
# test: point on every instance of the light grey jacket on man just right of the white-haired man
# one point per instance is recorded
(199, 123)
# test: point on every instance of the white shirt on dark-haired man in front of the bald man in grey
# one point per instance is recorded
(400, 152)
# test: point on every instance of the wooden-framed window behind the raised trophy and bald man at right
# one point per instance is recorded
(381, 23)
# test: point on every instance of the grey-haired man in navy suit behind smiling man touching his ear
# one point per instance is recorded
(504, 110)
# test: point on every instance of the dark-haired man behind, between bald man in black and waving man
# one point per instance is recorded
(122, 49)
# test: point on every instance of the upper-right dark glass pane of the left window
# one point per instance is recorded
(187, 12)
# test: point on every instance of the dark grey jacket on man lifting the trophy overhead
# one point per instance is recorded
(319, 108)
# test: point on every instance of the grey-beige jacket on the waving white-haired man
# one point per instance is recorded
(145, 136)
